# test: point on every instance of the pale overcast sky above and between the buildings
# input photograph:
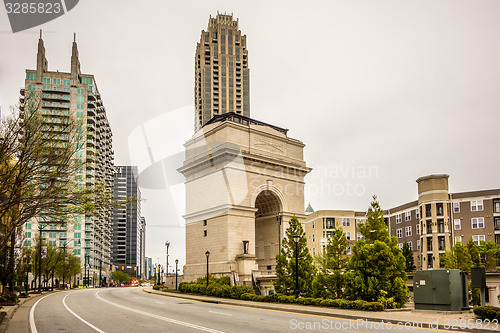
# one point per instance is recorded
(381, 92)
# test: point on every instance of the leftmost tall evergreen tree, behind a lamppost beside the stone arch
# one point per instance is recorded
(285, 262)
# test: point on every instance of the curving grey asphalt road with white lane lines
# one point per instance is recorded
(132, 310)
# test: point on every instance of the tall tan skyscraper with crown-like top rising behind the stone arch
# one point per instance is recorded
(222, 77)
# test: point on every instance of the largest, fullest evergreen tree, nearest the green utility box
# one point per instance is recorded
(377, 266)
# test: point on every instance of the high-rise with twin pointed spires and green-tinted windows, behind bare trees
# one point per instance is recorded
(75, 96)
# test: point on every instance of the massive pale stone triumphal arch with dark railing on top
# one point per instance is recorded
(244, 181)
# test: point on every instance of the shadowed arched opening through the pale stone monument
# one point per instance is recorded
(268, 206)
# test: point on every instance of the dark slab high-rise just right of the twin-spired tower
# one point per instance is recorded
(128, 238)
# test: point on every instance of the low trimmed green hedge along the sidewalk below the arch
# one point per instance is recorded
(247, 294)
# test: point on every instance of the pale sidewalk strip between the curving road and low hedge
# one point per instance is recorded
(428, 319)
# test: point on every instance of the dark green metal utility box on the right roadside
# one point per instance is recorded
(441, 289)
